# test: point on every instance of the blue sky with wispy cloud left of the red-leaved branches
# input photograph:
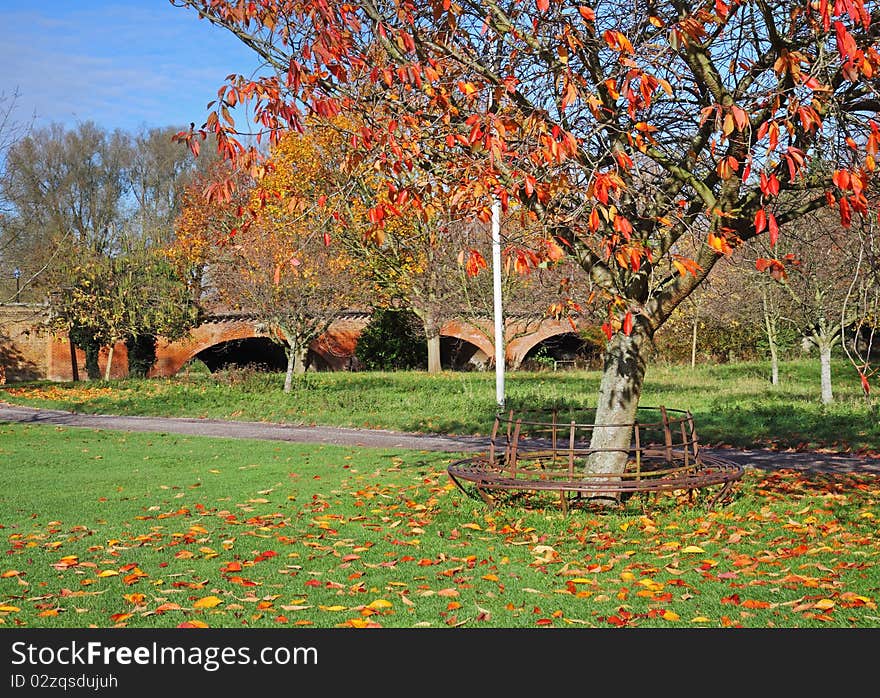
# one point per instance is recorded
(120, 63)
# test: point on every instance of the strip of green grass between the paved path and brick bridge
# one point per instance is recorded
(732, 403)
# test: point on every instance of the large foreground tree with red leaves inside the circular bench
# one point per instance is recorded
(626, 128)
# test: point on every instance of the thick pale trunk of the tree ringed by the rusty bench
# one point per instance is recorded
(619, 392)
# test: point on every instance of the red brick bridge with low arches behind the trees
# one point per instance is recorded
(27, 353)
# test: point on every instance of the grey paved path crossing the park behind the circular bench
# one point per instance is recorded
(378, 438)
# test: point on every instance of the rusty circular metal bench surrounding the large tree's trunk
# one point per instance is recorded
(541, 452)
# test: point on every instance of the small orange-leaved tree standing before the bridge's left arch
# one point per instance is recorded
(279, 266)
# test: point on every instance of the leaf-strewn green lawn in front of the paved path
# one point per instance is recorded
(154, 530)
